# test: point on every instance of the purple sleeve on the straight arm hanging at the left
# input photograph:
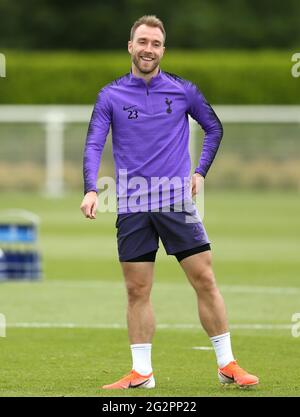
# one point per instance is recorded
(95, 141)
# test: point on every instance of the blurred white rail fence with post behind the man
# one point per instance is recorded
(54, 118)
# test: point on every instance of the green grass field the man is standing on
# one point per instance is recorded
(66, 335)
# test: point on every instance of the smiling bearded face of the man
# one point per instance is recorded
(146, 48)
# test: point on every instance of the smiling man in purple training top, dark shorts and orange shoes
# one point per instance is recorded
(148, 111)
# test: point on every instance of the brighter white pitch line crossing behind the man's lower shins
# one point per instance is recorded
(41, 325)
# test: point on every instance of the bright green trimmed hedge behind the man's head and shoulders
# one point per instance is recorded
(233, 77)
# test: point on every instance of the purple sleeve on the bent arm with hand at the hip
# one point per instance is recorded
(202, 112)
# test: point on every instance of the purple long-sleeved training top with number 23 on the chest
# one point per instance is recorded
(150, 136)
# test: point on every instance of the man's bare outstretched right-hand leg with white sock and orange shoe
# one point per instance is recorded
(212, 313)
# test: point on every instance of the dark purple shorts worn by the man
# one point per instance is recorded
(139, 233)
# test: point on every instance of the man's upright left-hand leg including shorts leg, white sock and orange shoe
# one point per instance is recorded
(137, 247)
